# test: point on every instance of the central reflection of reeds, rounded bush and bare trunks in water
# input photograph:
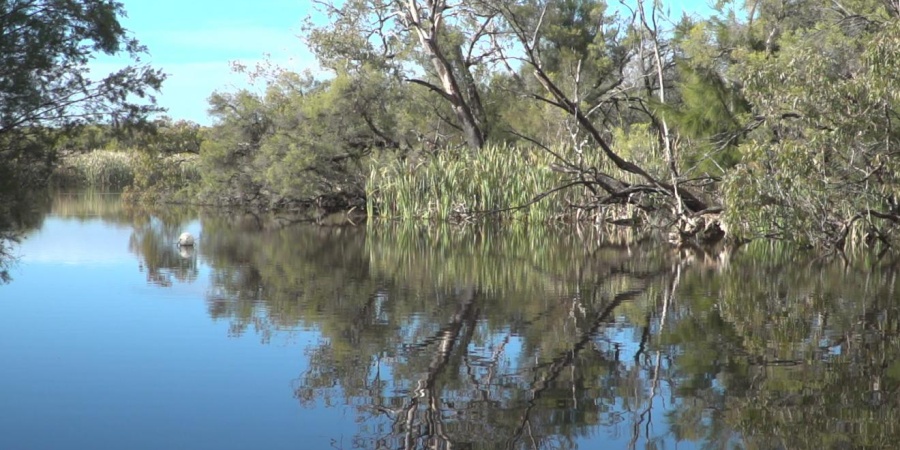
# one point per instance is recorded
(469, 338)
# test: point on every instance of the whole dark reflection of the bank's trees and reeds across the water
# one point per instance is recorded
(536, 337)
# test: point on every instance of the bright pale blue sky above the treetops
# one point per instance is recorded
(194, 41)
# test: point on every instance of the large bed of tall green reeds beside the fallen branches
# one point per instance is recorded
(455, 185)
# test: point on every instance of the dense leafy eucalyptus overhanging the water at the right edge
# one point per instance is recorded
(819, 164)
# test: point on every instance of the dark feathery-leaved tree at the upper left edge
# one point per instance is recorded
(45, 83)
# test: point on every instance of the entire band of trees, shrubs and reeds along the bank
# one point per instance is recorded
(760, 121)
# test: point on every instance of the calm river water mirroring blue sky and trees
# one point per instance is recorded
(270, 336)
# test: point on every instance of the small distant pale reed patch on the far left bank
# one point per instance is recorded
(99, 169)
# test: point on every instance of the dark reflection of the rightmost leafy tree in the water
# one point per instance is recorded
(803, 356)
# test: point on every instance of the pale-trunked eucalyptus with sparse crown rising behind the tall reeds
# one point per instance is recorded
(431, 43)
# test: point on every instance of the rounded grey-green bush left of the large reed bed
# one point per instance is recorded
(305, 140)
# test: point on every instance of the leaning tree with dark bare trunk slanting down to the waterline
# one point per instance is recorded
(584, 74)
